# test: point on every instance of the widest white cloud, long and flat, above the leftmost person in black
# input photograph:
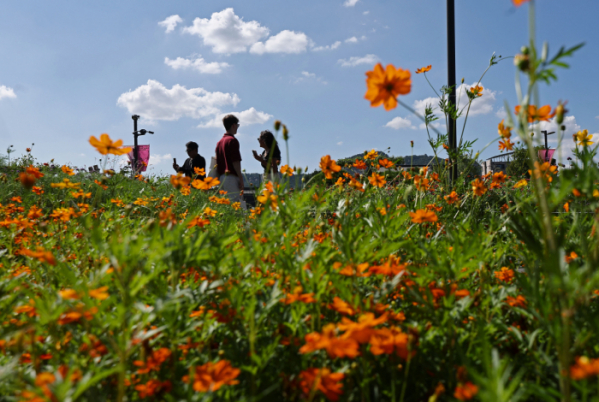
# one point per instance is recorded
(156, 102)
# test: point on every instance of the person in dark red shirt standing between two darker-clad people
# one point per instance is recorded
(228, 160)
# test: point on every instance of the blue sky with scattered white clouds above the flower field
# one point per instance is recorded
(72, 69)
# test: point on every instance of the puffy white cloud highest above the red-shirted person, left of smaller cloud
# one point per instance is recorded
(225, 32)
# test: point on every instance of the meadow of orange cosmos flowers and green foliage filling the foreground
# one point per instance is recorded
(373, 282)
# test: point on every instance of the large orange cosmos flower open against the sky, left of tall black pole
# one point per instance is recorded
(384, 86)
